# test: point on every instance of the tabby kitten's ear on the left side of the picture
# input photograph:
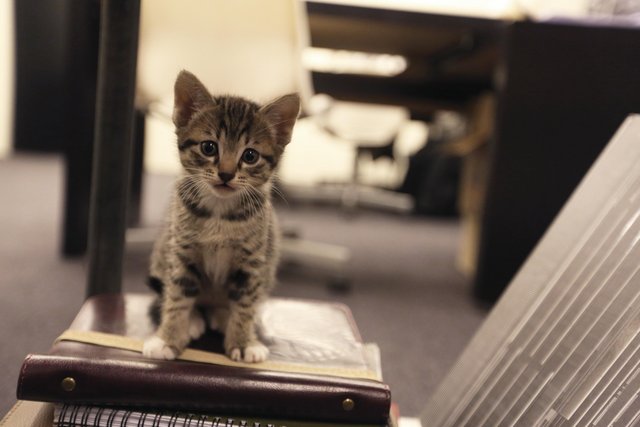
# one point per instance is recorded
(190, 95)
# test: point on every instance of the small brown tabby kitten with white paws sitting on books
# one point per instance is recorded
(218, 251)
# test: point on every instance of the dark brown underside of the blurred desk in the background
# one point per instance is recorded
(450, 59)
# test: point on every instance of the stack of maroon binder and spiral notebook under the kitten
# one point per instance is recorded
(319, 372)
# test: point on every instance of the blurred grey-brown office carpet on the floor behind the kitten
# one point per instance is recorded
(406, 293)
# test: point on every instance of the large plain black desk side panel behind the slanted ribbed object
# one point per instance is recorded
(567, 88)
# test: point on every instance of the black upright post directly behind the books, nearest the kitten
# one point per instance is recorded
(113, 143)
